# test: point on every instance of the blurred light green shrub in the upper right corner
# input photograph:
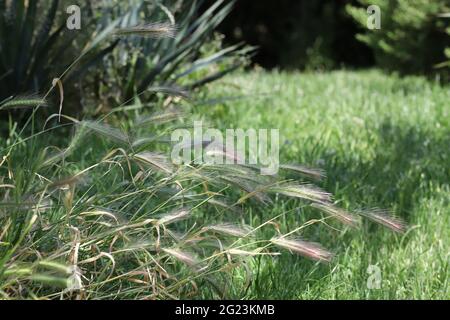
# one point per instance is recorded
(412, 37)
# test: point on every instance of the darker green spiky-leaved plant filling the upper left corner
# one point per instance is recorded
(36, 46)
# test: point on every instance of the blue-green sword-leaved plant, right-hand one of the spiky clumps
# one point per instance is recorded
(189, 60)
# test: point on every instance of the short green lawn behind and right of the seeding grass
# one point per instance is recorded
(384, 142)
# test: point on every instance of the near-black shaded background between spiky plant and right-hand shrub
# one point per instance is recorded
(298, 34)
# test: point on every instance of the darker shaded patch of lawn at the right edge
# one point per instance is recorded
(405, 162)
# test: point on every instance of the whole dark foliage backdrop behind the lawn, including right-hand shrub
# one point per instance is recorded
(327, 34)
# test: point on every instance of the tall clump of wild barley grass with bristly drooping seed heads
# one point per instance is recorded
(122, 219)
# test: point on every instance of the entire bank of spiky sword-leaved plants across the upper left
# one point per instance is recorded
(35, 50)
